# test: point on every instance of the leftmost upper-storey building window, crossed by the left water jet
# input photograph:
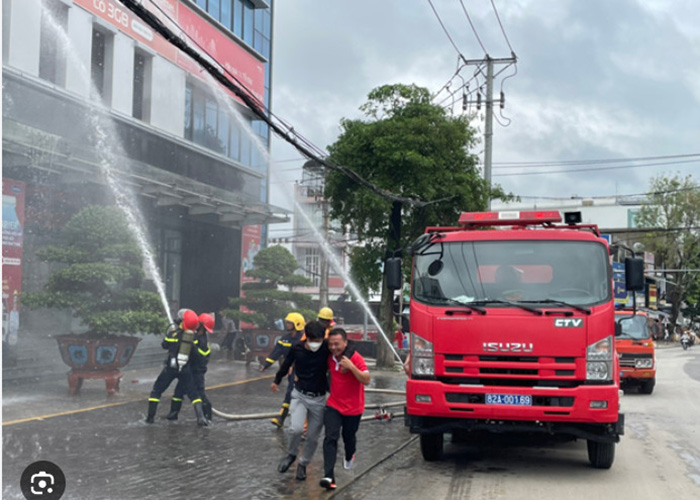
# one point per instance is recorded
(52, 57)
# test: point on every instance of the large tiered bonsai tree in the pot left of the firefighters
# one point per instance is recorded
(98, 275)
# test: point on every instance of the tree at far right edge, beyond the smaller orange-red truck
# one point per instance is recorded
(673, 211)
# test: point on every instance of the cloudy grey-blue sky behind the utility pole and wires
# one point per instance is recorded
(596, 80)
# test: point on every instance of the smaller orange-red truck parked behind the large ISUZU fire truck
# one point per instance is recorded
(635, 349)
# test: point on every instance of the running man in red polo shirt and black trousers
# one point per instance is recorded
(344, 407)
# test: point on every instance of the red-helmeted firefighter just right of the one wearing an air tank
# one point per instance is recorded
(199, 358)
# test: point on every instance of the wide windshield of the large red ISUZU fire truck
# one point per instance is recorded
(572, 272)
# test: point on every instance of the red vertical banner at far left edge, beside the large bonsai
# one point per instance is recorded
(12, 244)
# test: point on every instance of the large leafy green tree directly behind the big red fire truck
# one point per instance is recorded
(413, 148)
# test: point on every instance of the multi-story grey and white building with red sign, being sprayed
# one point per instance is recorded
(87, 82)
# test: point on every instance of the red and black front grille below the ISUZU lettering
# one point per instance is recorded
(507, 370)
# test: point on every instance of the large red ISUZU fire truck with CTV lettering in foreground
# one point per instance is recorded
(512, 330)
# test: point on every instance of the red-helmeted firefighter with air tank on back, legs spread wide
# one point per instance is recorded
(179, 343)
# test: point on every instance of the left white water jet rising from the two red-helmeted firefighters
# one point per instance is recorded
(125, 199)
